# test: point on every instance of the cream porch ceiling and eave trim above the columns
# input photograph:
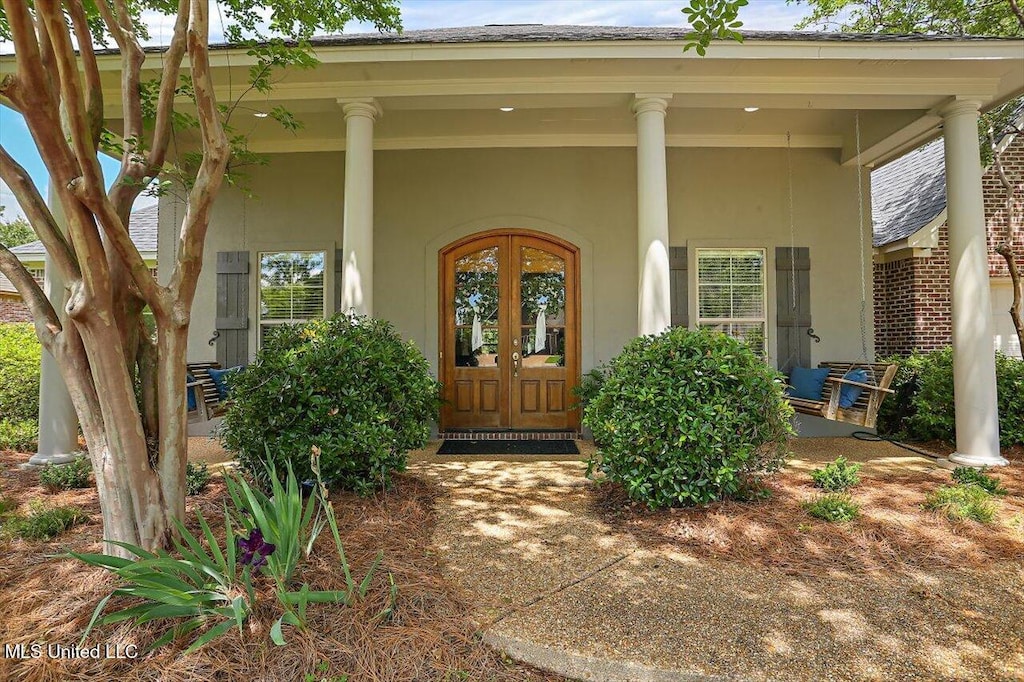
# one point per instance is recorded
(572, 94)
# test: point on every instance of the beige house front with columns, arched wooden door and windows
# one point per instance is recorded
(521, 201)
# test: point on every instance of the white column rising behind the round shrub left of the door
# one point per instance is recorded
(358, 236)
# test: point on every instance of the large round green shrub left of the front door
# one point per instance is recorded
(349, 386)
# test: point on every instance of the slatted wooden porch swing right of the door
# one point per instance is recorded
(865, 411)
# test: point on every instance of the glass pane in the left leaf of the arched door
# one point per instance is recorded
(477, 310)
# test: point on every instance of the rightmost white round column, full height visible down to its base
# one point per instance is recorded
(974, 360)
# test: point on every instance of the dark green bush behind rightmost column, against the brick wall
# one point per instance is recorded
(923, 407)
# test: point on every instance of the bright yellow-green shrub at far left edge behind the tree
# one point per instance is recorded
(20, 356)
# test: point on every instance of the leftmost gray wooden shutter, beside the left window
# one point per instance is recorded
(233, 309)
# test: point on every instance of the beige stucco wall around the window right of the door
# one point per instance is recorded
(740, 198)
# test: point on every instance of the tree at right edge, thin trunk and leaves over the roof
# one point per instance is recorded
(719, 20)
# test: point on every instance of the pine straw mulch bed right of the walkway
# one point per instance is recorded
(894, 534)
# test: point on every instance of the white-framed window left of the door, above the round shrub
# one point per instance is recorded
(291, 288)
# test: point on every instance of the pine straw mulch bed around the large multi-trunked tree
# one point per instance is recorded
(47, 599)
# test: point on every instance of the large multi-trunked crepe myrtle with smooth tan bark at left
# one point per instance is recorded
(106, 354)
